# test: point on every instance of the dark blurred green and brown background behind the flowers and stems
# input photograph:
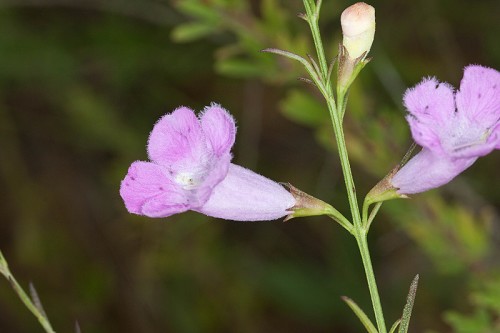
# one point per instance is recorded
(81, 84)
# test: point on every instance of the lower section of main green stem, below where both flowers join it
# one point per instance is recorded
(372, 283)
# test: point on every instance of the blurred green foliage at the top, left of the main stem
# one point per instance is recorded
(246, 36)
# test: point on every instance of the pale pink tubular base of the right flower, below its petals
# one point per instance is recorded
(427, 170)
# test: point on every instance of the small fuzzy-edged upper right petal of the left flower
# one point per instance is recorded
(219, 128)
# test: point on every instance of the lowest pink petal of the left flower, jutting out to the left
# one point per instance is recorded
(147, 190)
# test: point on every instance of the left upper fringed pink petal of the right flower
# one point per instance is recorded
(431, 108)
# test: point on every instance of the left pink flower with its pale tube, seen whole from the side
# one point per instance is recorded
(191, 169)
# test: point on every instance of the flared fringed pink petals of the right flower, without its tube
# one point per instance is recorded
(456, 124)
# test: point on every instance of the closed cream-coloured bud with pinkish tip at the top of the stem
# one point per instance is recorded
(358, 28)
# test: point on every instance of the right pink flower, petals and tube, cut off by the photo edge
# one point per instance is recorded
(454, 129)
